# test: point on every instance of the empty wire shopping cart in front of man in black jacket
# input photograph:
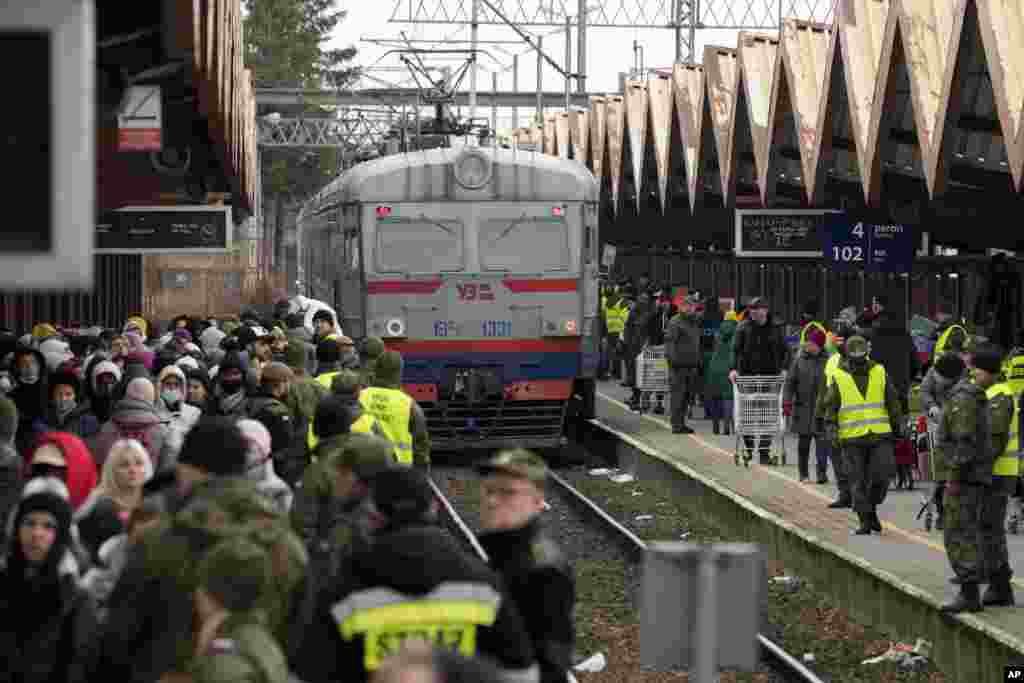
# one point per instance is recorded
(758, 415)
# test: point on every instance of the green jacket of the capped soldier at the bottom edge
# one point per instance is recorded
(243, 653)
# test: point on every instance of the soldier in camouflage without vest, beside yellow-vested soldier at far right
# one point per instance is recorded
(965, 436)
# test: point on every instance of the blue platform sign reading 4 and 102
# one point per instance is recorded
(856, 242)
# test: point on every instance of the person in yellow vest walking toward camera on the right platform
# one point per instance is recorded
(863, 413)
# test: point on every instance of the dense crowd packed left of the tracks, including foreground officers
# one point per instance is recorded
(249, 500)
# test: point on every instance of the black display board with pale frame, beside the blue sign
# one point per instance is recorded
(781, 233)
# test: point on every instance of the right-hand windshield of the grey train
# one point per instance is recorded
(529, 244)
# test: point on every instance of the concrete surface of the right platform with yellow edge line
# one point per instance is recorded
(905, 549)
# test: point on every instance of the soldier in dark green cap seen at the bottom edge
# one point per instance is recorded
(235, 644)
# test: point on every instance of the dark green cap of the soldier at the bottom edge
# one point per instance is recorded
(236, 574)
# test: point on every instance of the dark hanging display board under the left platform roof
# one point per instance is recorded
(165, 230)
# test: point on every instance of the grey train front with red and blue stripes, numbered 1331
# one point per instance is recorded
(493, 306)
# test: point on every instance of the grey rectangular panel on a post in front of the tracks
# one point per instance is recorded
(701, 609)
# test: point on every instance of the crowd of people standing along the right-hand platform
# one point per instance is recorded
(847, 390)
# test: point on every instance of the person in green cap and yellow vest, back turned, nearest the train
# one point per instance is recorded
(403, 419)
